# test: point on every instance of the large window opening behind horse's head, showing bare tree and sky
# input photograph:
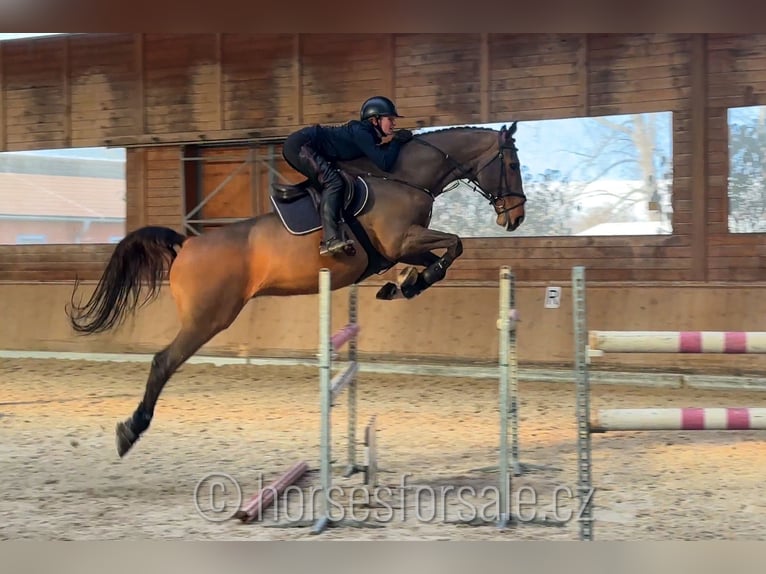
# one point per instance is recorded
(607, 175)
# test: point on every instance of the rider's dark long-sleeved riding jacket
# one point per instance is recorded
(353, 140)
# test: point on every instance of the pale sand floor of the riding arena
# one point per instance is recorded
(62, 479)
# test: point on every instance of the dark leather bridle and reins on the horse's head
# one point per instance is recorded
(465, 173)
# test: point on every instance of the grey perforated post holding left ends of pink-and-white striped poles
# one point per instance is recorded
(584, 481)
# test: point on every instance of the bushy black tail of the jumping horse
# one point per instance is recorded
(137, 267)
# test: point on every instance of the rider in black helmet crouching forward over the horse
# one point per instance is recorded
(313, 151)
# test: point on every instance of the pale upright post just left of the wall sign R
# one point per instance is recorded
(503, 323)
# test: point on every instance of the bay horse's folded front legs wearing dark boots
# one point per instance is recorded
(417, 250)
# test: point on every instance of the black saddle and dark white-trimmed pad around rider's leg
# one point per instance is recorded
(297, 205)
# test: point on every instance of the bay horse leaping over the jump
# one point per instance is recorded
(212, 276)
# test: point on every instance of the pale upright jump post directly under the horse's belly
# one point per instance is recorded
(325, 358)
